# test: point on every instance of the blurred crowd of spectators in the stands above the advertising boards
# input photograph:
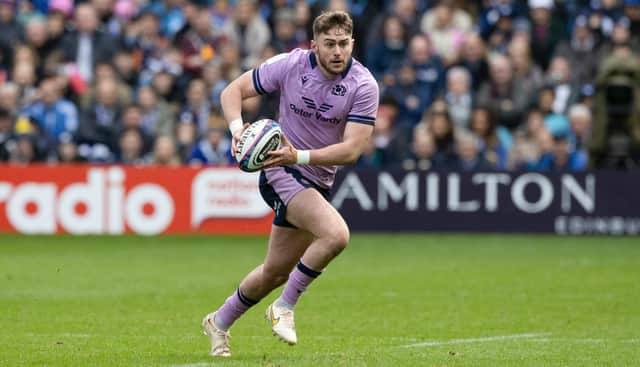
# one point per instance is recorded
(465, 85)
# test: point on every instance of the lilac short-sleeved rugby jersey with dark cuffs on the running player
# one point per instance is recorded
(315, 109)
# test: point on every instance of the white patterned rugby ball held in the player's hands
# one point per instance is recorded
(256, 141)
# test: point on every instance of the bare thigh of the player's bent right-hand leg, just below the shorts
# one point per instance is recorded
(309, 210)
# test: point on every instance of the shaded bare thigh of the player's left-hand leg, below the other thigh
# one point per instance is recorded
(286, 247)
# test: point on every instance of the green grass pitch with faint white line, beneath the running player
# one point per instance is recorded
(389, 300)
